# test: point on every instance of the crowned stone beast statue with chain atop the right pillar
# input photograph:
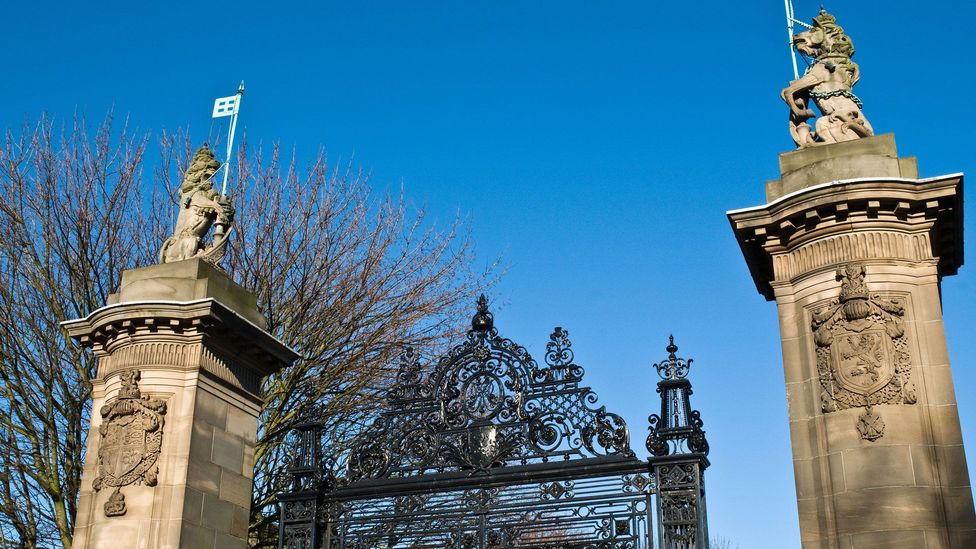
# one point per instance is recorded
(828, 82)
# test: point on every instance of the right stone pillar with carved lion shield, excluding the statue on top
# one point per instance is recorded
(853, 247)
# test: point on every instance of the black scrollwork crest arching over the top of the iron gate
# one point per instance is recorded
(484, 405)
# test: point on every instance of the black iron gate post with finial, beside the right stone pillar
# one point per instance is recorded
(677, 443)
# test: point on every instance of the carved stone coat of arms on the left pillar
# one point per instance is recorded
(131, 436)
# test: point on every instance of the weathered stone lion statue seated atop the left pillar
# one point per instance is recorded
(201, 207)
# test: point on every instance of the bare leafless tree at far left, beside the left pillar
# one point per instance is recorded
(69, 205)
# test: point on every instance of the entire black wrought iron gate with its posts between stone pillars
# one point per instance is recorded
(489, 449)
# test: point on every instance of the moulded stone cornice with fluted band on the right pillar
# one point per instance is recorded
(915, 220)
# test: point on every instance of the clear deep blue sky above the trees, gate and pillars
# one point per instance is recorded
(597, 145)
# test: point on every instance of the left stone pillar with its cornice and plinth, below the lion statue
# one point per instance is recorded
(200, 348)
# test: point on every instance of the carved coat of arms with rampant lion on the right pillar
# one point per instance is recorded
(862, 353)
